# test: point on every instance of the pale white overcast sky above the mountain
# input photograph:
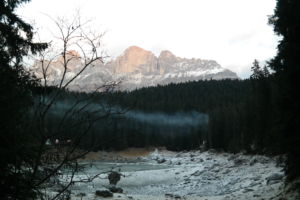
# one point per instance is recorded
(232, 32)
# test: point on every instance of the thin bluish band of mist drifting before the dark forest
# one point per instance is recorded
(121, 121)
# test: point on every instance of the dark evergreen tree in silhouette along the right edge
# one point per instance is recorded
(286, 64)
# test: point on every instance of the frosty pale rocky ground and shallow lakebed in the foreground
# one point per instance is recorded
(193, 175)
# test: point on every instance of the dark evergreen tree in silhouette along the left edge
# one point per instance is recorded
(16, 145)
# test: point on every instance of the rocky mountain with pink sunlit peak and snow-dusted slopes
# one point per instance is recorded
(135, 68)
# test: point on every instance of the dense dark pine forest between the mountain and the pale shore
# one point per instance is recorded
(241, 115)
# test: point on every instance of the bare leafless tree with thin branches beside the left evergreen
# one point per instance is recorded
(54, 153)
